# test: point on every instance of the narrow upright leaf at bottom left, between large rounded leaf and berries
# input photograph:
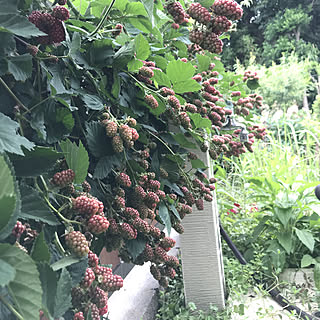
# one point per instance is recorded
(49, 280)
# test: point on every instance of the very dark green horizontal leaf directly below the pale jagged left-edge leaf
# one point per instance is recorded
(35, 162)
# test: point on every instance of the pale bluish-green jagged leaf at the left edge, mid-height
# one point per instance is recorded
(10, 140)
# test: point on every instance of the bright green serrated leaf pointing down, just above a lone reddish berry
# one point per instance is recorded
(77, 159)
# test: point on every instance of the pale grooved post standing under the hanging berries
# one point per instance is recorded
(202, 263)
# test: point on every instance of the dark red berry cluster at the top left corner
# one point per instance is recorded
(51, 24)
